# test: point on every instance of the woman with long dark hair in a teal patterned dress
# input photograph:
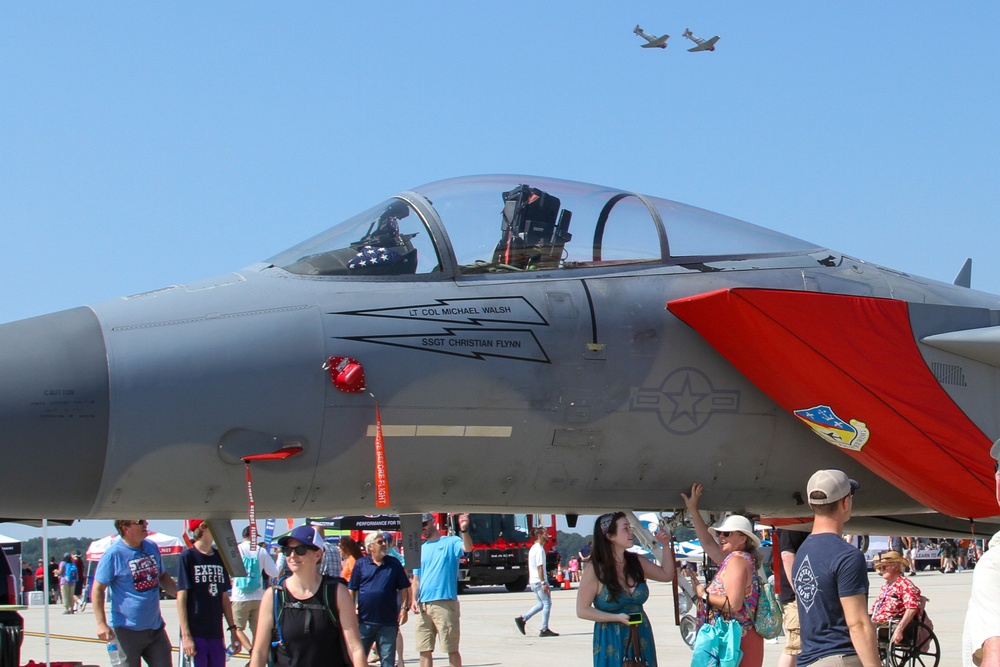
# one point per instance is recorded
(614, 586)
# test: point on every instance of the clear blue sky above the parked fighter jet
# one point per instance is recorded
(149, 144)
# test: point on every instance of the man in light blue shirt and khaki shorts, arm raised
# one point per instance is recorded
(435, 590)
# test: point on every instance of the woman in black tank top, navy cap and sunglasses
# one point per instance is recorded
(306, 635)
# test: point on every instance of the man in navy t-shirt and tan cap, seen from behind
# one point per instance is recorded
(831, 581)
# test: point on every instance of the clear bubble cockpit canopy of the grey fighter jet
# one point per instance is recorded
(489, 225)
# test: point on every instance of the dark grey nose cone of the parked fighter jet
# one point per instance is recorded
(54, 411)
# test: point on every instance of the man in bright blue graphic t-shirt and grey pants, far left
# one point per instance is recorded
(133, 569)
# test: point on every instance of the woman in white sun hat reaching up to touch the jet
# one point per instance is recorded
(735, 589)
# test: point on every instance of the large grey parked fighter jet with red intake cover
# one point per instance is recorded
(520, 343)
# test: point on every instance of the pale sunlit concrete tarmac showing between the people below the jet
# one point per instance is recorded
(490, 638)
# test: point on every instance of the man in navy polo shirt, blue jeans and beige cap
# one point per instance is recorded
(382, 591)
